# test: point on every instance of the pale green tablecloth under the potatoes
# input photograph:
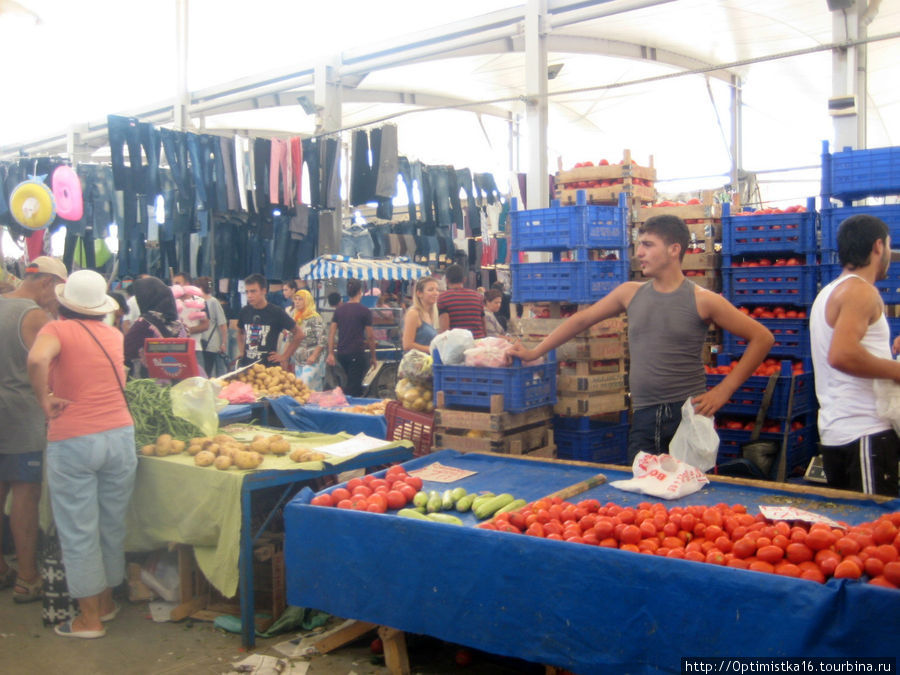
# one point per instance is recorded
(176, 501)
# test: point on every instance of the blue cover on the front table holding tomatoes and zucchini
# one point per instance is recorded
(585, 608)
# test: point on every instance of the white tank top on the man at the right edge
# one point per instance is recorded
(846, 402)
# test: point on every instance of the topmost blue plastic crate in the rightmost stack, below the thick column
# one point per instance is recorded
(854, 174)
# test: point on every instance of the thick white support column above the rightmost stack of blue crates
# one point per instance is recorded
(848, 78)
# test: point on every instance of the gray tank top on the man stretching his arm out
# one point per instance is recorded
(665, 339)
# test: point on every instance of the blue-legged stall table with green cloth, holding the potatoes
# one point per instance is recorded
(176, 501)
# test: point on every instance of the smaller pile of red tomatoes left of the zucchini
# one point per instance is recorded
(373, 494)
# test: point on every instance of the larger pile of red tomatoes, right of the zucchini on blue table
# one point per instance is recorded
(719, 535)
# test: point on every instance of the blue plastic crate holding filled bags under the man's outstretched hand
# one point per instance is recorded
(522, 387)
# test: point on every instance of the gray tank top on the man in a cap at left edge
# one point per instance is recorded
(21, 417)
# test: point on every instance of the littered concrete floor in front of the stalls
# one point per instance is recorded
(134, 644)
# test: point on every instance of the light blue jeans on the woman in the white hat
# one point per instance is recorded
(91, 479)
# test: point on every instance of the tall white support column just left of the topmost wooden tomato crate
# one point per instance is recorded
(536, 28)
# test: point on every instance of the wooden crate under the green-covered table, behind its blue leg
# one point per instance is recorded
(199, 600)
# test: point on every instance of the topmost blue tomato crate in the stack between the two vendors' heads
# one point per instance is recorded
(795, 232)
